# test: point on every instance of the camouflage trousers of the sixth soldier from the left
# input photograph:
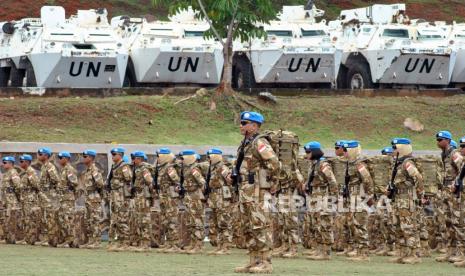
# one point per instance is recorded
(121, 208)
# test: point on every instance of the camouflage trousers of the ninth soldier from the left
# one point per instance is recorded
(195, 216)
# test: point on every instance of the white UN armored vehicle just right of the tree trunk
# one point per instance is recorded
(297, 52)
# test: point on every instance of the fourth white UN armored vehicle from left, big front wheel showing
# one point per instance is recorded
(382, 48)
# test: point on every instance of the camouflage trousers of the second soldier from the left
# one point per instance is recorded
(30, 220)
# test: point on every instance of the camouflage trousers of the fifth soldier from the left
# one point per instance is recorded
(93, 221)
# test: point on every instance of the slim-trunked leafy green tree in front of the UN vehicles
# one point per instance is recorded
(228, 20)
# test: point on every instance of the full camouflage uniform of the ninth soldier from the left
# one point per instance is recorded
(194, 183)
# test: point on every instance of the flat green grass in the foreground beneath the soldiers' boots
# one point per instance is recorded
(33, 260)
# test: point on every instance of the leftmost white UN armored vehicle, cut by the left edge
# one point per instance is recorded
(54, 52)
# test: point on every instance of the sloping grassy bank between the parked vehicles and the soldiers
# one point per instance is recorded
(373, 121)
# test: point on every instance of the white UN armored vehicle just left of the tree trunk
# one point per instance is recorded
(174, 51)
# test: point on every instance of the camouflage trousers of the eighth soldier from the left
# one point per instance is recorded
(170, 219)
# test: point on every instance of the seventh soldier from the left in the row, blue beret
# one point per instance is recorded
(142, 199)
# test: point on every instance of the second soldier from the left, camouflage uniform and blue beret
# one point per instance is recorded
(29, 199)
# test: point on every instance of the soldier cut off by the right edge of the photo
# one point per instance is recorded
(459, 193)
